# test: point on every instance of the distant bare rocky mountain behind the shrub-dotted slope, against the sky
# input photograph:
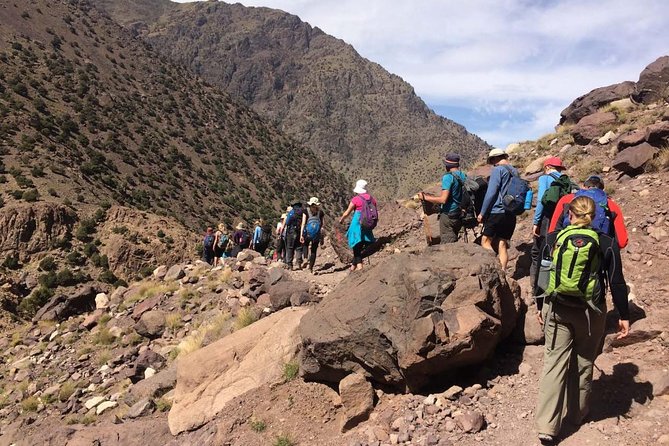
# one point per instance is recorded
(365, 121)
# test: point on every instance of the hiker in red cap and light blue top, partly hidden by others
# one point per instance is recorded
(552, 169)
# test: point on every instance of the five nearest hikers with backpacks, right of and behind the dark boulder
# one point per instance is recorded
(578, 233)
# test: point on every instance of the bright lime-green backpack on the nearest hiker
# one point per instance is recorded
(577, 260)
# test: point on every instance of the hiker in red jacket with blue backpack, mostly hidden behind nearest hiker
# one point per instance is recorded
(594, 188)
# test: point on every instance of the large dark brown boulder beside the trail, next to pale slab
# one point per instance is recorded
(411, 317)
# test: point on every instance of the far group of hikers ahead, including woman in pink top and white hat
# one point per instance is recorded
(298, 234)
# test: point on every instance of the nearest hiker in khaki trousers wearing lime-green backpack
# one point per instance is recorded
(574, 317)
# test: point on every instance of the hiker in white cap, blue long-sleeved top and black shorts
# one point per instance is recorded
(498, 225)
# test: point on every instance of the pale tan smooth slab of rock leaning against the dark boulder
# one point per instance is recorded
(209, 378)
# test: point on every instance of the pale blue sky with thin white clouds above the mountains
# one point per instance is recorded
(502, 68)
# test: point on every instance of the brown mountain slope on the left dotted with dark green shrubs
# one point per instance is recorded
(90, 114)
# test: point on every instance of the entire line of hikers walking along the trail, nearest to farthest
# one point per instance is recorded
(577, 232)
